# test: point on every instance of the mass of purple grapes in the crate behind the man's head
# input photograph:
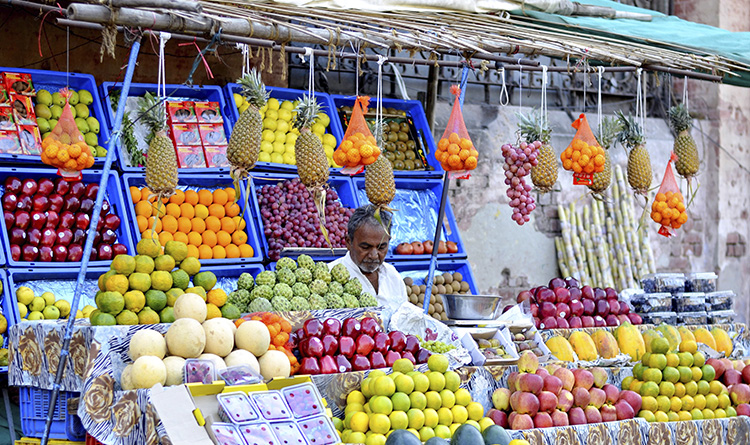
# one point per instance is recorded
(291, 220)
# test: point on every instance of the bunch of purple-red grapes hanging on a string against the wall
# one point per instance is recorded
(518, 163)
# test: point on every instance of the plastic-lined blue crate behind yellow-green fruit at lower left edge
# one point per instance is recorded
(65, 282)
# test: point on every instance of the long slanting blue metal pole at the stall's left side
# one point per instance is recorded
(111, 148)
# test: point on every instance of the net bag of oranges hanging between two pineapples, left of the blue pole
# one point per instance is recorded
(358, 148)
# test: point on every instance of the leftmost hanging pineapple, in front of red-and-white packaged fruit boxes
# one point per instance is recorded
(161, 159)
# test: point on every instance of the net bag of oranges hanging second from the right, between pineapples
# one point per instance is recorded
(584, 156)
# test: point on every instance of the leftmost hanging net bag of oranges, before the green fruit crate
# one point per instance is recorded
(65, 147)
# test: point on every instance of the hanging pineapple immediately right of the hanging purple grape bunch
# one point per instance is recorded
(544, 174)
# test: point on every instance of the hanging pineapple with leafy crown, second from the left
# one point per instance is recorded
(244, 144)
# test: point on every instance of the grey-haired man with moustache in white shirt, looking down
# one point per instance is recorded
(367, 241)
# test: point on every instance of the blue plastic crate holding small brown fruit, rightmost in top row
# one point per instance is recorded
(415, 112)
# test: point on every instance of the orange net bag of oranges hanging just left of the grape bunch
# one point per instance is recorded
(456, 152)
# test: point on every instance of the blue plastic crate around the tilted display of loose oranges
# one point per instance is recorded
(202, 181)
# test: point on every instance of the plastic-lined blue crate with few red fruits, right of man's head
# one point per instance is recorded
(450, 228)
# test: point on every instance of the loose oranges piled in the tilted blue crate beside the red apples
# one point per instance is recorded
(208, 221)
